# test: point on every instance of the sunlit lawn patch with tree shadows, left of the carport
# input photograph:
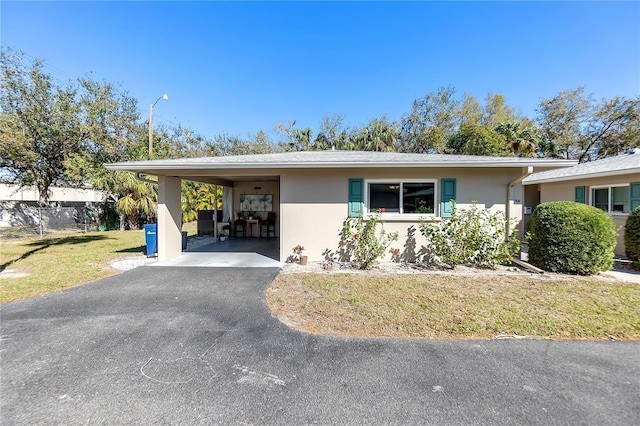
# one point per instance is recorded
(59, 262)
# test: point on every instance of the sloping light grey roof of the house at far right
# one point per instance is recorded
(627, 163)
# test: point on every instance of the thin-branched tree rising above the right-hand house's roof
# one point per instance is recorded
(574, 126)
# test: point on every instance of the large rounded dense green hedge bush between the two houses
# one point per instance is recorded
(570, 237)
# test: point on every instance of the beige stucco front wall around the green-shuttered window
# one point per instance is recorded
(313, 203)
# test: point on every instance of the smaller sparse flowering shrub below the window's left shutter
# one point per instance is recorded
(362, 242)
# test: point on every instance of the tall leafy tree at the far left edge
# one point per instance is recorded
(40, 125)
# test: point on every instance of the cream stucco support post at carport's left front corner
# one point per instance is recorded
(169, 218)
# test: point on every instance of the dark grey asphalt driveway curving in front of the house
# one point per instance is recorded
(162, 345)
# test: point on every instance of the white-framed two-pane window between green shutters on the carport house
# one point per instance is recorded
(401, 197)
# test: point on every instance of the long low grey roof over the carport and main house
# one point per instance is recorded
(331, 159)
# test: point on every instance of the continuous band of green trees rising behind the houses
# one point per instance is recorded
(54, 132)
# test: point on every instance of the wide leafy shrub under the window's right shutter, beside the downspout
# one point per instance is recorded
(472, 236)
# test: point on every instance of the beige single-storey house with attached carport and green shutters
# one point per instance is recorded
(312, 193)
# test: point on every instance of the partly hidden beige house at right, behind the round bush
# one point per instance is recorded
(611, 184)
